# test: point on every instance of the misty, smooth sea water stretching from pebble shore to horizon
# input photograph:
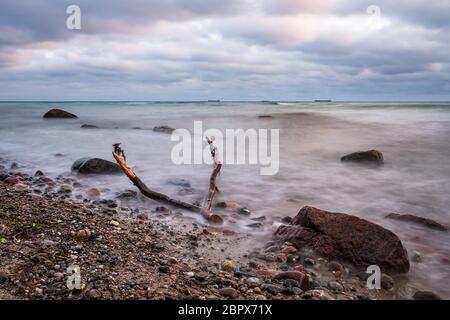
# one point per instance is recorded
(414, 138)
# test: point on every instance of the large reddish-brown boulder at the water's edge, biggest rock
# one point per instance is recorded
(342, 236)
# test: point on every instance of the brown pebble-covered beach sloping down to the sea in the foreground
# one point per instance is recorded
(146, 257)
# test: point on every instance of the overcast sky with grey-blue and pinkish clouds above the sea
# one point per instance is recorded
(230, 50)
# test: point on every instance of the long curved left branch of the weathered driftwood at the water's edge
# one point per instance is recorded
(119, 155)
